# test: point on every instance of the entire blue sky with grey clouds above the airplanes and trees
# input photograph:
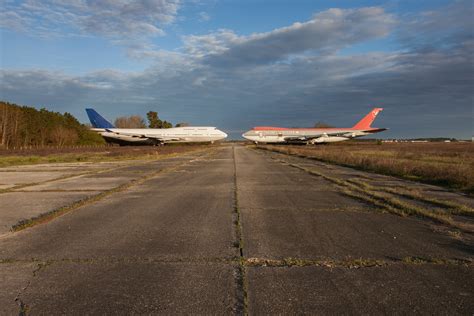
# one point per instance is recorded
(240, 63)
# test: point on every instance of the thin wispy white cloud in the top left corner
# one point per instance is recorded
(111, 19)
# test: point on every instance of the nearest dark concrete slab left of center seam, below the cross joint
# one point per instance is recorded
(132, 288)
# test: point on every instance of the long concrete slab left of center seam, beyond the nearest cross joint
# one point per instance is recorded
(189, 219)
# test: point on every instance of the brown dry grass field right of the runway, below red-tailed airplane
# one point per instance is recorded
(446, 164)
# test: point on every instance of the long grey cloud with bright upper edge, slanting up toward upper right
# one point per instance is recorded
(327, 32)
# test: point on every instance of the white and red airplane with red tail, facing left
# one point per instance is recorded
(267, 134)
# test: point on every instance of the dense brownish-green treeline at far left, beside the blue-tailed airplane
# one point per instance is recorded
(22, 126)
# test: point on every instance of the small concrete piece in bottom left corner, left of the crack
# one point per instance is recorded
(14, 277)
